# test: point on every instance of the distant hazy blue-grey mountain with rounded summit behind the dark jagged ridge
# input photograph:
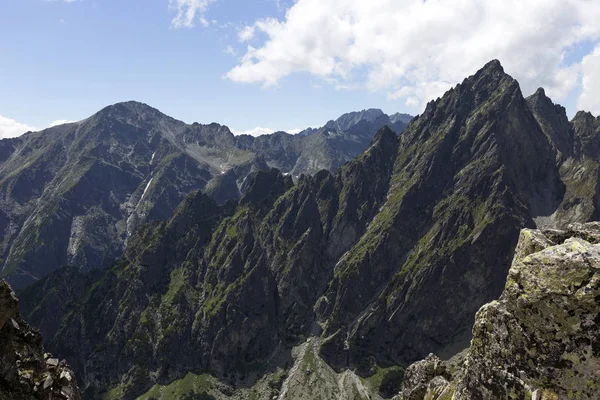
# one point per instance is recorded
(73, 194)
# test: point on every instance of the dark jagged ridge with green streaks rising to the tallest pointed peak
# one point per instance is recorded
(378, 264)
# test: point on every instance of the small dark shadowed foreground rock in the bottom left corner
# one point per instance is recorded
(26, 372)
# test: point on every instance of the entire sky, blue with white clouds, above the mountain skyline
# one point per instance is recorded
(283, 65)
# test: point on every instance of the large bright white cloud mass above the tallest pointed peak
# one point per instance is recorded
(415, 50)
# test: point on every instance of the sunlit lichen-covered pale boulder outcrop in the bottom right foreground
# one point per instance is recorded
(541, 339)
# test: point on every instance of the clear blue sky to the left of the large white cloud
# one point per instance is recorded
(67, 60)
